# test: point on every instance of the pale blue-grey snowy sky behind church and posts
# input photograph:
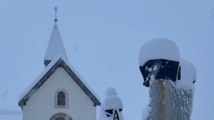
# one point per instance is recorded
(102, 39)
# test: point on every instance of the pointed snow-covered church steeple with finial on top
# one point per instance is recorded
(55, 46)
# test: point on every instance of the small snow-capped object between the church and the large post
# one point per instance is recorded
(112, 106)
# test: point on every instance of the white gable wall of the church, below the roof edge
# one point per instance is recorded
(41, 105)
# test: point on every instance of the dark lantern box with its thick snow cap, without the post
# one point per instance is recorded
(159, 59)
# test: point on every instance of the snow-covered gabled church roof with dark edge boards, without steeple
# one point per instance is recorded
(49, 70)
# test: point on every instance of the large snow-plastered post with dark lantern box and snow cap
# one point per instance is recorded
(164, 73)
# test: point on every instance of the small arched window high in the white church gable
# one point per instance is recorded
(61, 98)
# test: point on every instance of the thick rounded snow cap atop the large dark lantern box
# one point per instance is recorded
(158, 48)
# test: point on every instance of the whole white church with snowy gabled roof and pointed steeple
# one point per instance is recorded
(58, 93)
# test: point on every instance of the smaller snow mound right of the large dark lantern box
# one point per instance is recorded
(188, 75)
